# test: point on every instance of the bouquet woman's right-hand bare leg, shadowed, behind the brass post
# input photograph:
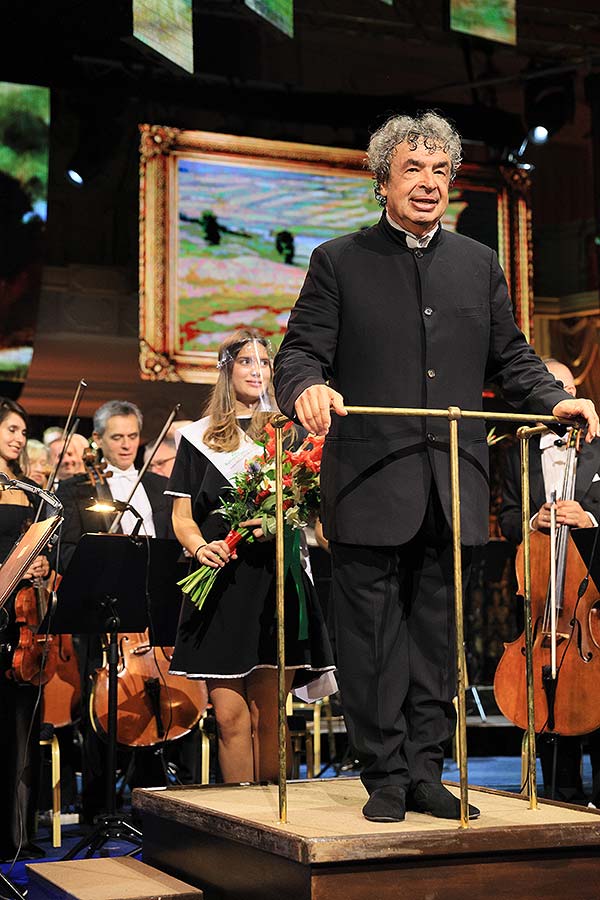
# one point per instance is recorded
(261, 693)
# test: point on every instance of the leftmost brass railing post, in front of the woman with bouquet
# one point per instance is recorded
(280, 605)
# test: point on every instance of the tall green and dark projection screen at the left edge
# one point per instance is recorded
(24, 123)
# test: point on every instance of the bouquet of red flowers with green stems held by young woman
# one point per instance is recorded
(252, 496)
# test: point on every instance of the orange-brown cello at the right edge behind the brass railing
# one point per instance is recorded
(566, 653)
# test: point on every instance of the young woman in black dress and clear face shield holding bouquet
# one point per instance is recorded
(231, 642)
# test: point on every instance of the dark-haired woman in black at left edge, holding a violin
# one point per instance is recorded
(19, 705)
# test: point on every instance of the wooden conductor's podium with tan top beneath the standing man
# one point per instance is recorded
(228, 841)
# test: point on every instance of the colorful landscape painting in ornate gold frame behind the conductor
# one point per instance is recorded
(228, 224)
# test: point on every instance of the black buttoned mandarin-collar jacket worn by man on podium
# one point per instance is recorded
(389, 326)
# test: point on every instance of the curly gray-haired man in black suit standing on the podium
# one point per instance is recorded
(405, 313)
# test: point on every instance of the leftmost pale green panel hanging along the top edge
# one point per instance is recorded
(166, 26)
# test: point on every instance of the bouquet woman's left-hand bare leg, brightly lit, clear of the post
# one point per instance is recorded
(234, 729)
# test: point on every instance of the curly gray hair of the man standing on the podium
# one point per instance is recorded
(435, 132)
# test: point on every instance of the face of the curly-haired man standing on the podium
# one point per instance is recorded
(417, 189)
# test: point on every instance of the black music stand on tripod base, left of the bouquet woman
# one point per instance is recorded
(104, 590)
